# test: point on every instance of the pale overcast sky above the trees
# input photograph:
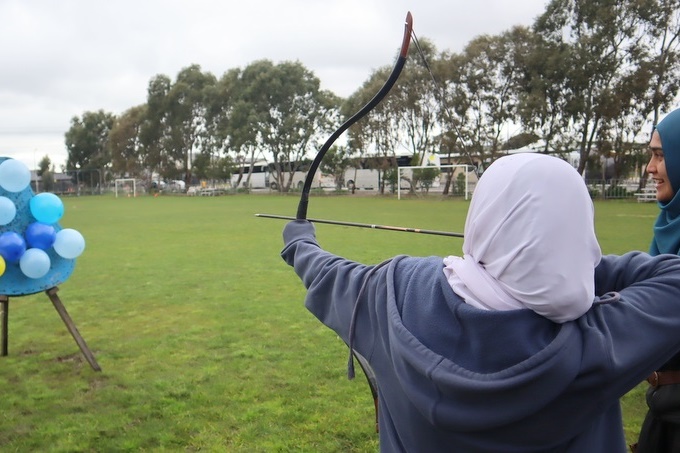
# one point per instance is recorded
(59, 59)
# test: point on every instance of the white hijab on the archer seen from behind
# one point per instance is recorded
(529, 240)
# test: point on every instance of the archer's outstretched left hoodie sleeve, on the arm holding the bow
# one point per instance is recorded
(333, 283)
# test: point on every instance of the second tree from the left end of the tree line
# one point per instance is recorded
(128, 156)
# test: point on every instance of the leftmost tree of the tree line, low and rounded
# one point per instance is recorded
(87, 144)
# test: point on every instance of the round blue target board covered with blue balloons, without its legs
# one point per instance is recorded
(36, 253)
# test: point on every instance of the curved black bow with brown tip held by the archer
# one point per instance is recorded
(304, 198)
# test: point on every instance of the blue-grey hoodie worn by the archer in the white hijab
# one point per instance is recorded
(452, 377)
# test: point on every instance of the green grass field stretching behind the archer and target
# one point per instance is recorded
(200, 330)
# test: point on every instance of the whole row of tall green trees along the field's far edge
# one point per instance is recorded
(592, 76)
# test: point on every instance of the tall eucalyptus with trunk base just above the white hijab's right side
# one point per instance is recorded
(602, 48)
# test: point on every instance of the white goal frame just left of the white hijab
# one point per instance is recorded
(433, 179)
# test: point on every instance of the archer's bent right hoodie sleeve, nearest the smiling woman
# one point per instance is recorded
(639, 329)
